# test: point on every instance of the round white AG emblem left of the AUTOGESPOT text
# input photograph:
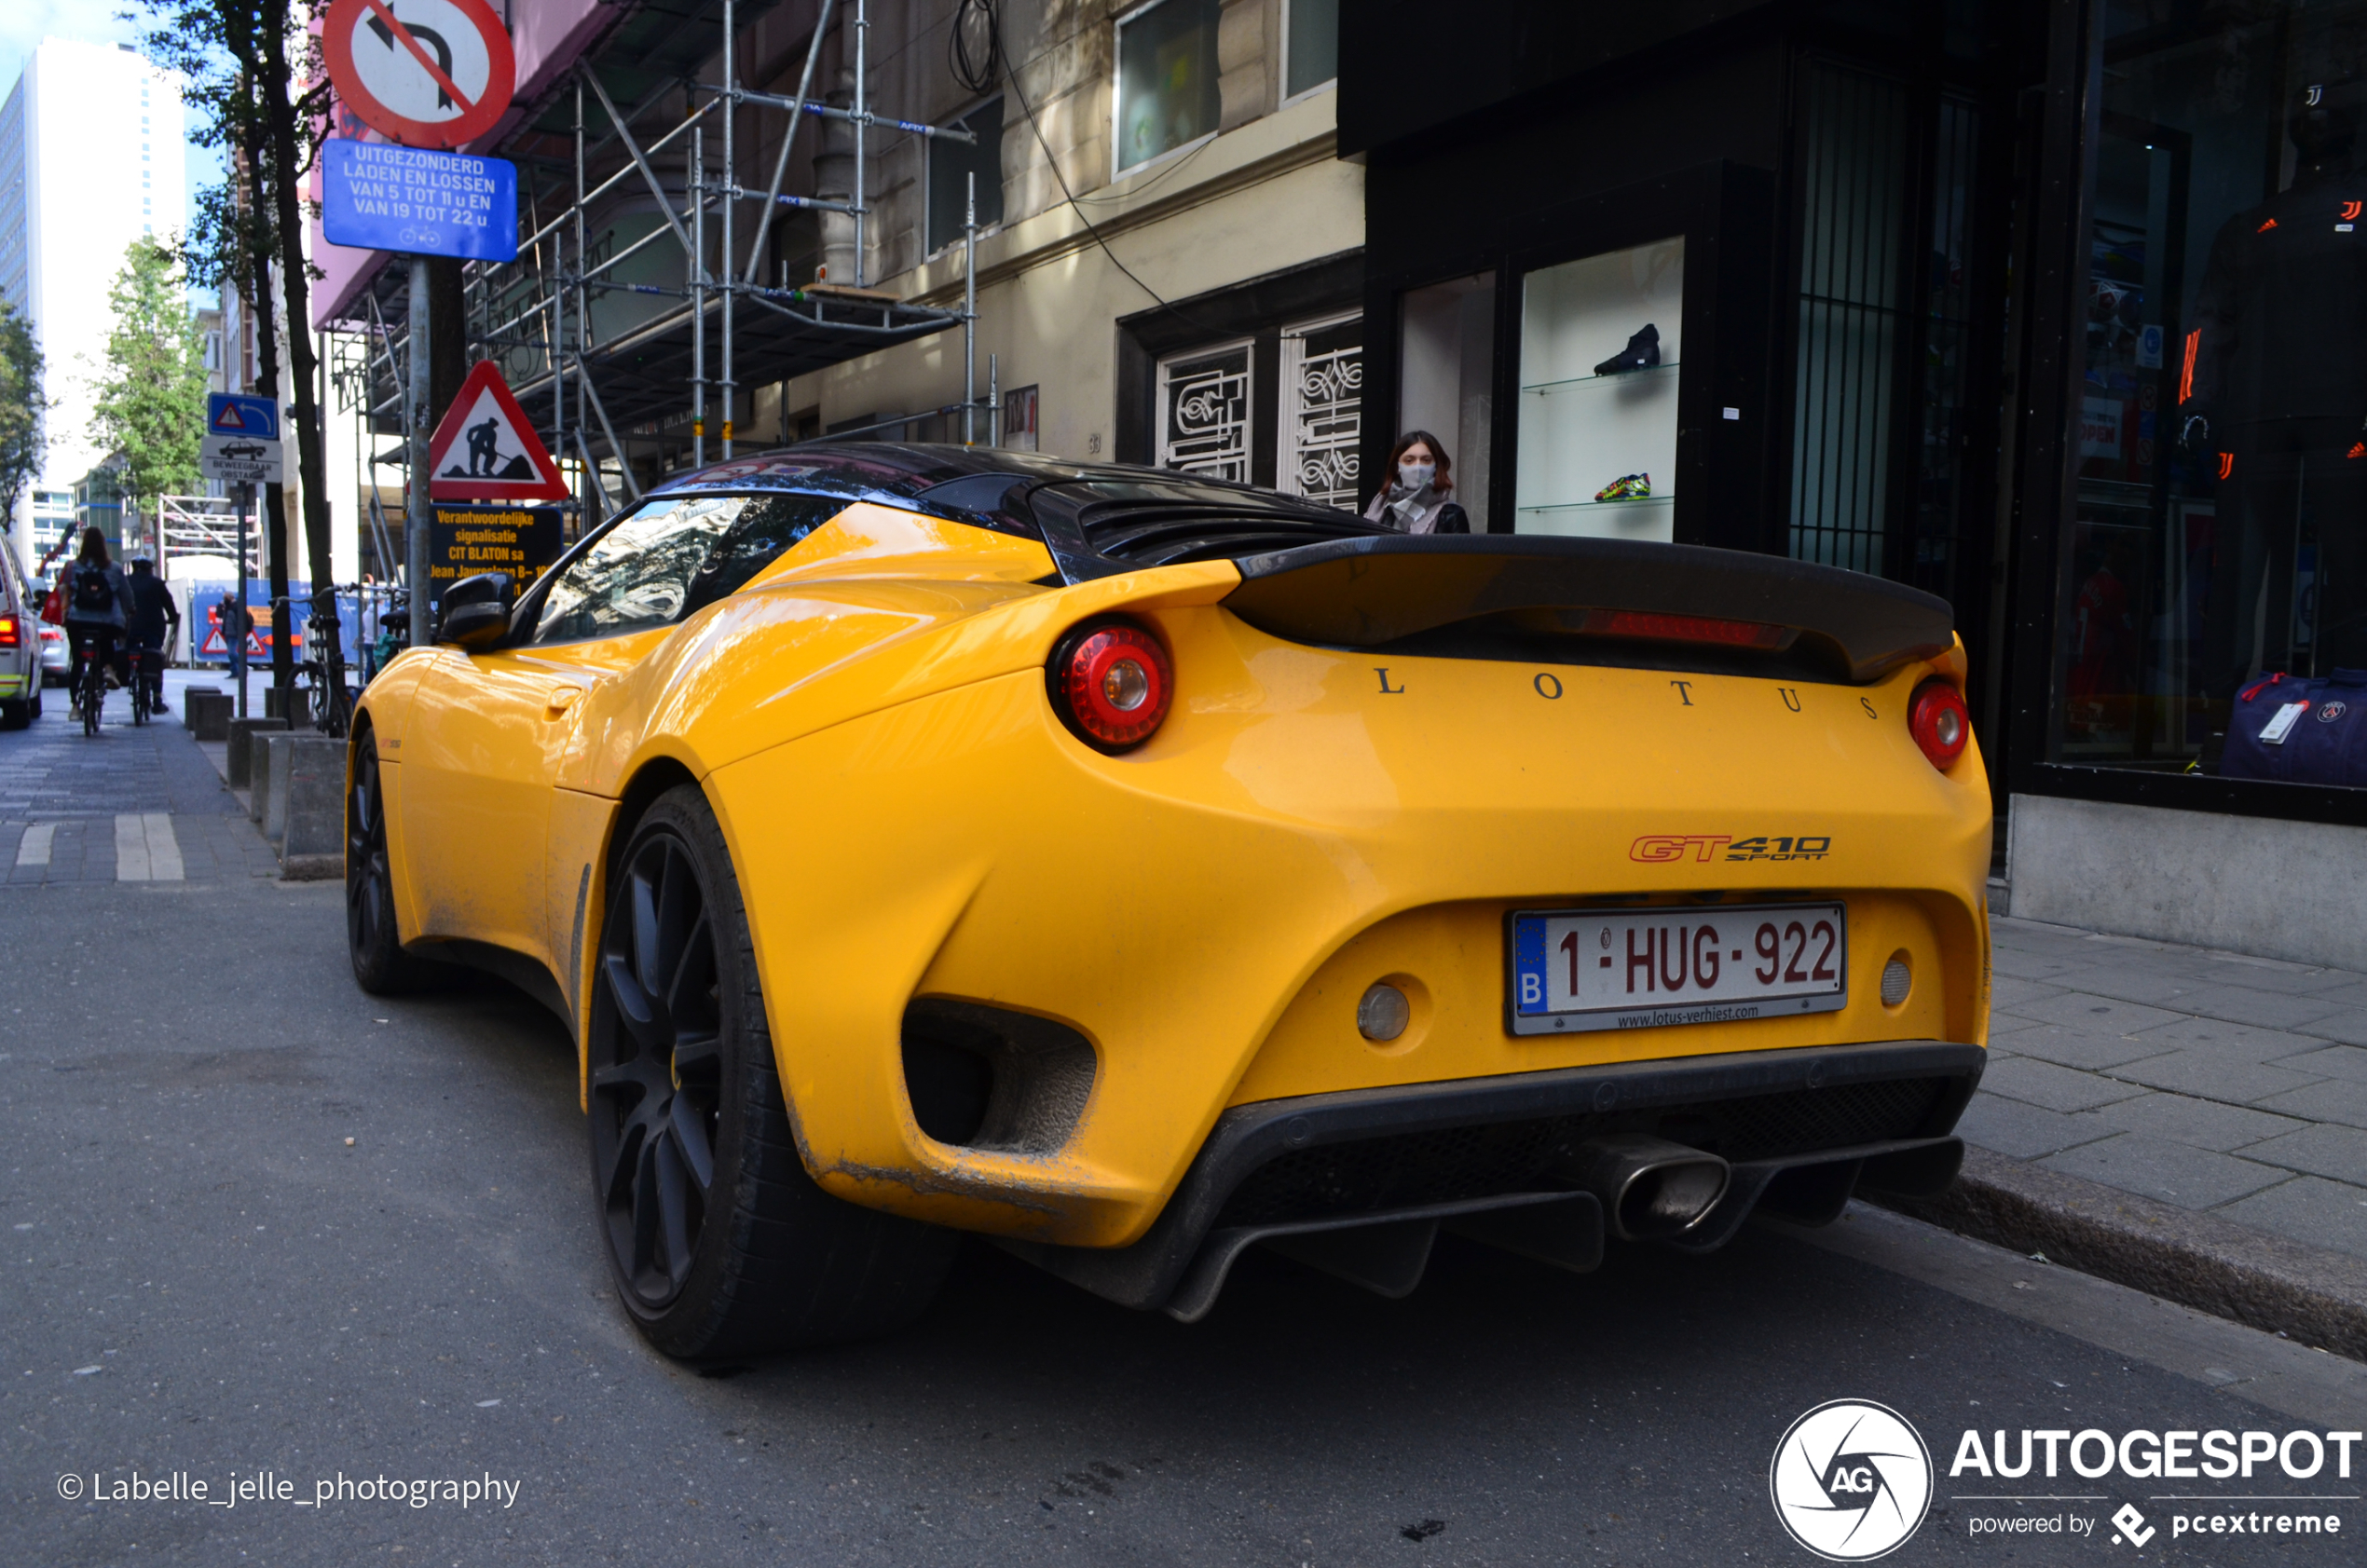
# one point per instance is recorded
(1852, 1482)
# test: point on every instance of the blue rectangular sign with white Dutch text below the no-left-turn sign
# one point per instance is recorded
(418, 202)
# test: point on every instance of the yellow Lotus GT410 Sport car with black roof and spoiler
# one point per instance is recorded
(1135, 869)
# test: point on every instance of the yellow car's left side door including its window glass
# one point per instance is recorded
(482, 753)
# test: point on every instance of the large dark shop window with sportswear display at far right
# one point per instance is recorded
(2219, 455)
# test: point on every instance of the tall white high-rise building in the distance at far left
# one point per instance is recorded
(91, 160)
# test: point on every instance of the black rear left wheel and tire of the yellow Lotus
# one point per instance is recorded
(754, 1259)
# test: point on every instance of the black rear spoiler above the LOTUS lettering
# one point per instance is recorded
(1384, 590)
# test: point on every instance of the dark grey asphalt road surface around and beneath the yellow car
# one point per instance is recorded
(207, 1278)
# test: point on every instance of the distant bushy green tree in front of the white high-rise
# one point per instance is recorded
(153, 389)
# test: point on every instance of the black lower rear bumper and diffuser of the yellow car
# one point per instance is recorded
(1379, 1172)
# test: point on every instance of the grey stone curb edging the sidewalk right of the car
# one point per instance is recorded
(2195, 1259)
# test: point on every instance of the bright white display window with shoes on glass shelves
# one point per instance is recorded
(1599, 356)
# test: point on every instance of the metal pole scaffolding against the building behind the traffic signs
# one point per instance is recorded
(598, 389)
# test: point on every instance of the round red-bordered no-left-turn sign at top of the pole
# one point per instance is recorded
(420, 72)
